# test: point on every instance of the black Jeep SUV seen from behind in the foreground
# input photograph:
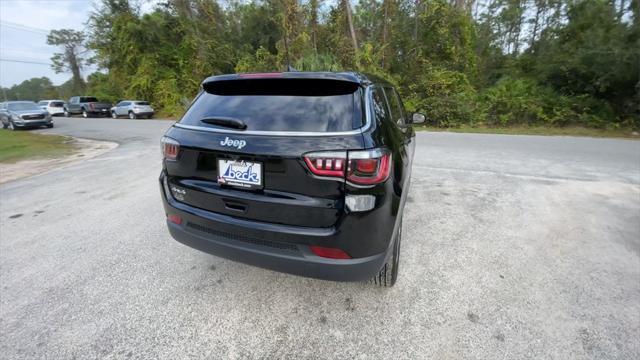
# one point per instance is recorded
(301, 172)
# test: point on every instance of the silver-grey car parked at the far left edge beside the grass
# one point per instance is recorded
(23, 114)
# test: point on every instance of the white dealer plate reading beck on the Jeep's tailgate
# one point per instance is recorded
(240, 173)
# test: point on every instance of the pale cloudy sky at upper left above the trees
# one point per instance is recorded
(24, 25)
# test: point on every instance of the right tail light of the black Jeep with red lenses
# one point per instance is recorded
(367, 167)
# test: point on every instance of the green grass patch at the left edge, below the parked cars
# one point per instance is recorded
(22, 145)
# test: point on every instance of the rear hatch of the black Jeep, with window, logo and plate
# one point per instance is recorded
(238, 127)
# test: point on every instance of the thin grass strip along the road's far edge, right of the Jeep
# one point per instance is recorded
(549, 131)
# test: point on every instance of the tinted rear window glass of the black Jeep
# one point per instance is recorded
(303, 106)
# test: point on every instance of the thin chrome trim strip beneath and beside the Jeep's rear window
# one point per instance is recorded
(367, 125)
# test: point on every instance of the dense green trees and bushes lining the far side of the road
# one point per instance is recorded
(466, 64)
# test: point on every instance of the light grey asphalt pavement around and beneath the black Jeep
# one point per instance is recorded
(514, 247)
